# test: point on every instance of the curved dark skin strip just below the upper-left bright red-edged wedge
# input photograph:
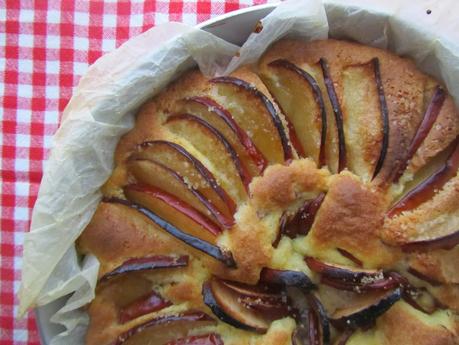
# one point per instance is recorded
(242, 171)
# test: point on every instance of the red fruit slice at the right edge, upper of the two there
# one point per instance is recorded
(427, 189)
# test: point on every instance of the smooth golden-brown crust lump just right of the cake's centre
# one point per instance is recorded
(349, 218)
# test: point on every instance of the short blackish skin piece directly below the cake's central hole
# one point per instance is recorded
(286, 278)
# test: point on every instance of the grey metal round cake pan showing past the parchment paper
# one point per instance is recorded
(233, 27)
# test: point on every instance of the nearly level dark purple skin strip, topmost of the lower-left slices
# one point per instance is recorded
(146, 263)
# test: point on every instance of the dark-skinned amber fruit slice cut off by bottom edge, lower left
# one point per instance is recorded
(162, 329)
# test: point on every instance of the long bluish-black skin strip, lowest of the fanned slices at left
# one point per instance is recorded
(223, 256)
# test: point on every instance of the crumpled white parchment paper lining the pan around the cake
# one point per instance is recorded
(103, 107)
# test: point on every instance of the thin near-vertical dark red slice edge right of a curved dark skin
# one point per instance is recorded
(337, 111)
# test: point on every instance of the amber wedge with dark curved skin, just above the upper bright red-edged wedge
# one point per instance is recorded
(257, 115)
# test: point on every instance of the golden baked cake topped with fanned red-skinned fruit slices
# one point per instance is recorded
(312, 198)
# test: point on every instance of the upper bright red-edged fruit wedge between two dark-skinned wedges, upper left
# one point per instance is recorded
(221, 119)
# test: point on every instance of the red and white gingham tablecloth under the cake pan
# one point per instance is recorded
(47, 45)
